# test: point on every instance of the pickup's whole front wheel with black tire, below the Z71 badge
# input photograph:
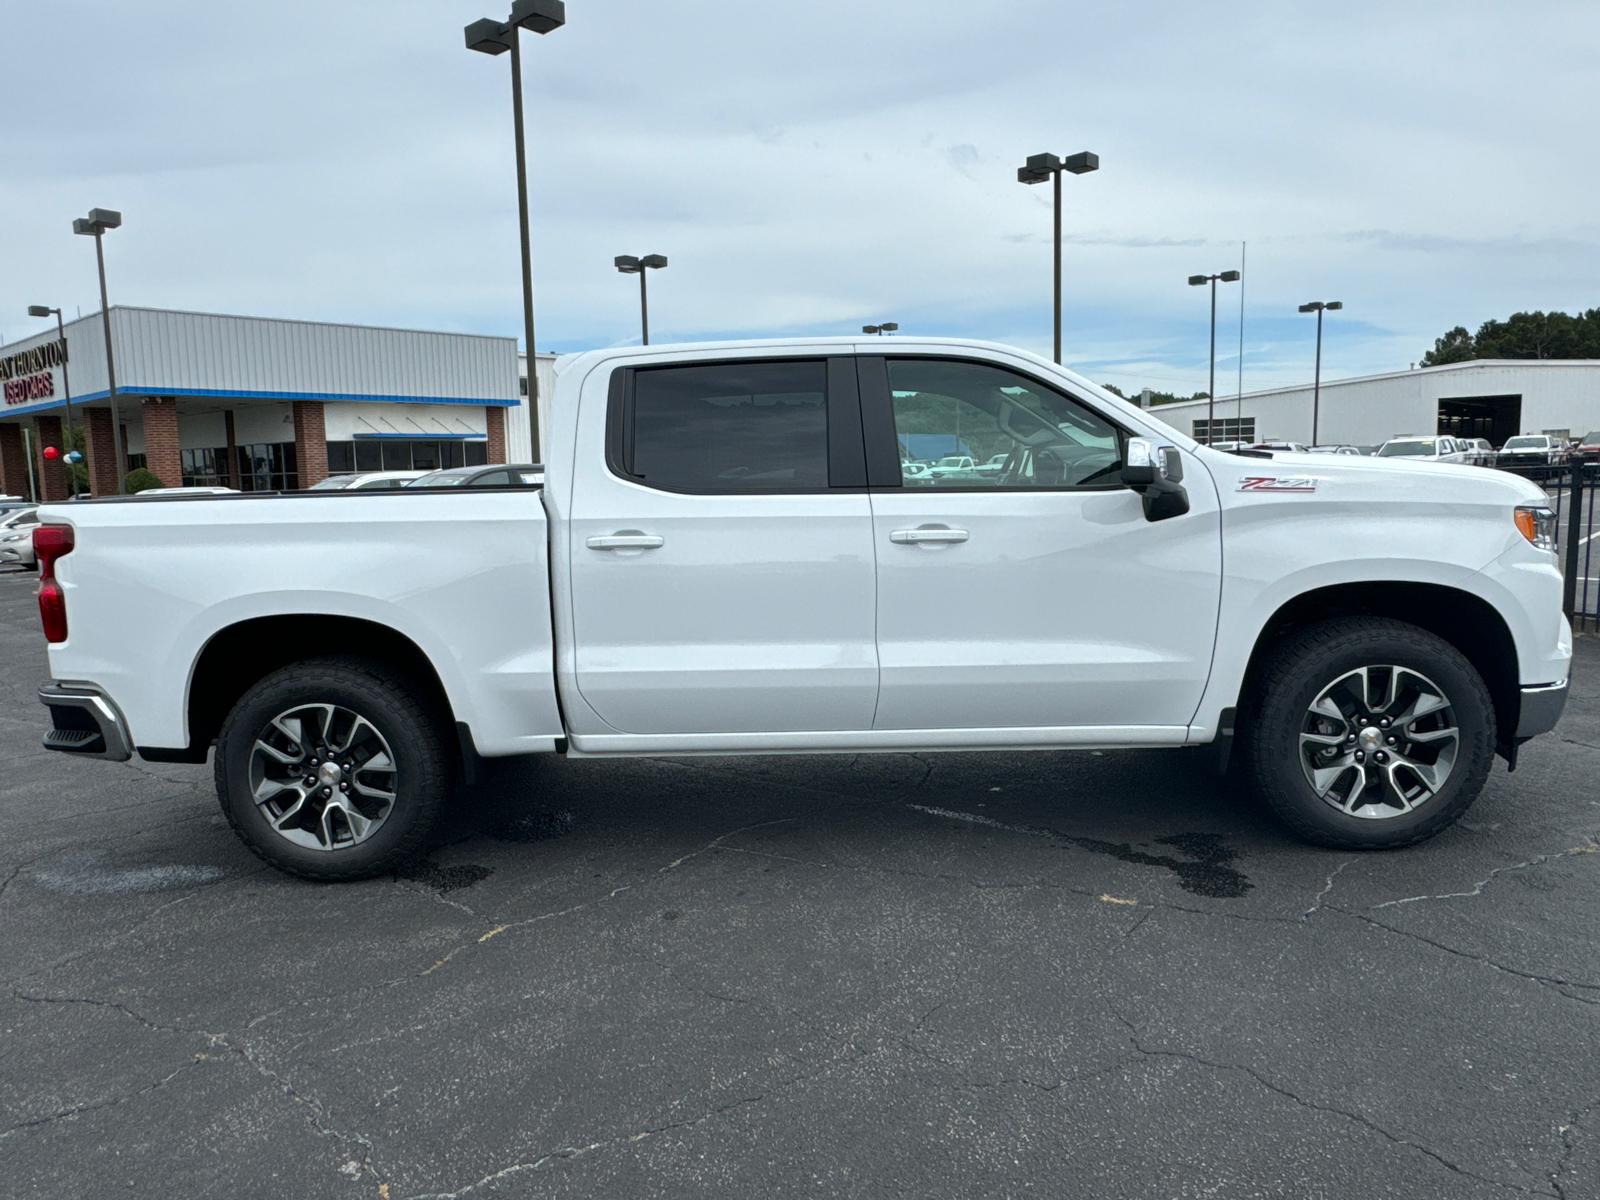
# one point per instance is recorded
(1369, 734)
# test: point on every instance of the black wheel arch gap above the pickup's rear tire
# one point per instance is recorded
(239, 655)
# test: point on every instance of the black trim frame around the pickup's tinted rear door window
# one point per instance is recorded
(847, 457)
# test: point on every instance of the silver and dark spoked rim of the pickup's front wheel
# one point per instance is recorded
(1380, 742)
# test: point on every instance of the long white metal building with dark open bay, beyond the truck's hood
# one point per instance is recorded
(1486, 398)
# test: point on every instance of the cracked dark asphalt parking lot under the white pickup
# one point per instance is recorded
(1065, 975)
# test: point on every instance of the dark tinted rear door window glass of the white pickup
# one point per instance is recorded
(729, 428)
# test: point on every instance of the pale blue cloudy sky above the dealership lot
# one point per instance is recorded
(809, 169)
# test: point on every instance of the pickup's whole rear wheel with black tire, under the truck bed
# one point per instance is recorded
(332, 769)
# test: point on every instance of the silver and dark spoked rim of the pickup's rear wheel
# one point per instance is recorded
(322, 777)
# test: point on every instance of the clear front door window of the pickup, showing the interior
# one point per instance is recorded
(977, 426)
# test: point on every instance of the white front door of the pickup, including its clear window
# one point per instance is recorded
(1028, 590)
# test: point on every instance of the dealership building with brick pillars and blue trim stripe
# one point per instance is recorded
(258, 404)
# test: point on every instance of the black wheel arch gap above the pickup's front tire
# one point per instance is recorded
(1466, 622)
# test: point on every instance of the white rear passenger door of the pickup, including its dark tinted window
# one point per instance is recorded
(722, 570)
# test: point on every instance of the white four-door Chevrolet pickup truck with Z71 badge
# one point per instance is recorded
(727, 559)
